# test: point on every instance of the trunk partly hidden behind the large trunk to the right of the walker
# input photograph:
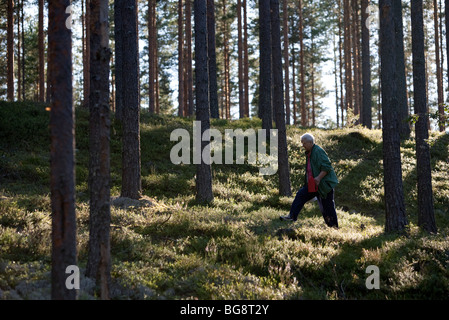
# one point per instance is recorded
(404, 127)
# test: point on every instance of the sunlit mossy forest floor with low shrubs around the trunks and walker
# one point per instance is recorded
(235, 247)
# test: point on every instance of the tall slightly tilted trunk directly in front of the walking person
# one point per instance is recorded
(278, 101)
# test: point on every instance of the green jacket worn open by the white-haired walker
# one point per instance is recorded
(320, 162)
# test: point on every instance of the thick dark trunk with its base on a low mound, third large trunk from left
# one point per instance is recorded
(131, 178)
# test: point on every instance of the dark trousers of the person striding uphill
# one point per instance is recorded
(327, 206)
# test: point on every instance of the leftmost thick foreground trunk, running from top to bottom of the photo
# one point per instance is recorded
(62, 159)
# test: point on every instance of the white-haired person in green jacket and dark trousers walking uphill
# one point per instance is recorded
(320, 180)
